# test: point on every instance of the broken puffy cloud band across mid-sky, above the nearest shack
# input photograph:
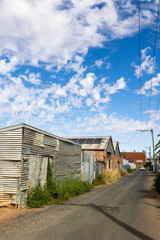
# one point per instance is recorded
(18, 100)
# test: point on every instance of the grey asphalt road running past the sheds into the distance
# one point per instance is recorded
(125, 210)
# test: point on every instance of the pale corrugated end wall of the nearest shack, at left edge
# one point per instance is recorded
(10, 164)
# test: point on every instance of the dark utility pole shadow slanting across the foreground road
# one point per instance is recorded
(103, 210)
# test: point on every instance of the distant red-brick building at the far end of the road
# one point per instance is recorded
(138, 158)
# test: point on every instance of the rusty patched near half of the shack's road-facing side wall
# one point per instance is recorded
(37, 147)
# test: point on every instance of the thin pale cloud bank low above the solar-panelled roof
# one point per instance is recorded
(110, 123)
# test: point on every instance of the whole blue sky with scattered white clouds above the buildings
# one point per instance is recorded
(71, 67)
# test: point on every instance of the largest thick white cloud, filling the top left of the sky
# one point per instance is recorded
(51, 33)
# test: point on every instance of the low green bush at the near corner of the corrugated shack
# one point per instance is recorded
(39, 197)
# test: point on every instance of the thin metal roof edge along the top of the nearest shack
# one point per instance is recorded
(23, 125)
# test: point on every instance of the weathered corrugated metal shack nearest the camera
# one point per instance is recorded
(24, 154)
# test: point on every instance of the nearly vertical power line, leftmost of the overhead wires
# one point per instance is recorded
(140, 75)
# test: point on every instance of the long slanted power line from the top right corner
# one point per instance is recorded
(154, 51)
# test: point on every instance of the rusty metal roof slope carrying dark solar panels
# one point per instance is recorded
(92, 142)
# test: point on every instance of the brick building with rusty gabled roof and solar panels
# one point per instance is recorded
(102, 148)
